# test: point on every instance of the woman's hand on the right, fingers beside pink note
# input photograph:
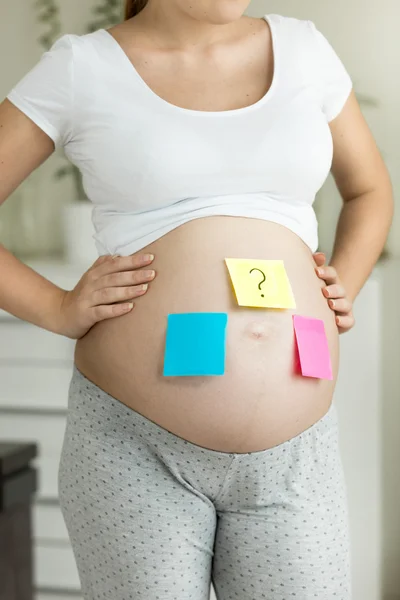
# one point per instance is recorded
(335, 294)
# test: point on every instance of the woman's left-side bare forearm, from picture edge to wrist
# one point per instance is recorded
(27, 295)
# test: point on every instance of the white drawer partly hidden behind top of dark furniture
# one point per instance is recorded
(48, 432)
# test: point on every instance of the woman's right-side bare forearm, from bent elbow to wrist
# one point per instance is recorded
(361, 233)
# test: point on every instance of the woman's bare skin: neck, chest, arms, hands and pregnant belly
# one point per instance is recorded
(164, 37)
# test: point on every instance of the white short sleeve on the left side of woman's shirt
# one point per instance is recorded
(45, 93)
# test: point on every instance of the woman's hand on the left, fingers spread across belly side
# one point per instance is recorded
(106, 290)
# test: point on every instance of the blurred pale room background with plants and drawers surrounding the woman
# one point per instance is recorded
(46, 223)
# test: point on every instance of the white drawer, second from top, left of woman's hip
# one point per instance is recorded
(35, 386)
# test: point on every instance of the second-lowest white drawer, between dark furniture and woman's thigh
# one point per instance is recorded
(48, 523)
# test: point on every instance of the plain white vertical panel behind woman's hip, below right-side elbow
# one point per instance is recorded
(358, 400)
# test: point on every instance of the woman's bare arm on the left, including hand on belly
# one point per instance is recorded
(103, 292)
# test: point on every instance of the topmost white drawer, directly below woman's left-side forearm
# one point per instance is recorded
(24, 341)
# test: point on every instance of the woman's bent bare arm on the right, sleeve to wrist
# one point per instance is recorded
(364, 184)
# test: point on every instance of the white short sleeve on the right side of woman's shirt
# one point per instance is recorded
(331, 77)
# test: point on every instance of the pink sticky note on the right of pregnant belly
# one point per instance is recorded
(313, 347)
